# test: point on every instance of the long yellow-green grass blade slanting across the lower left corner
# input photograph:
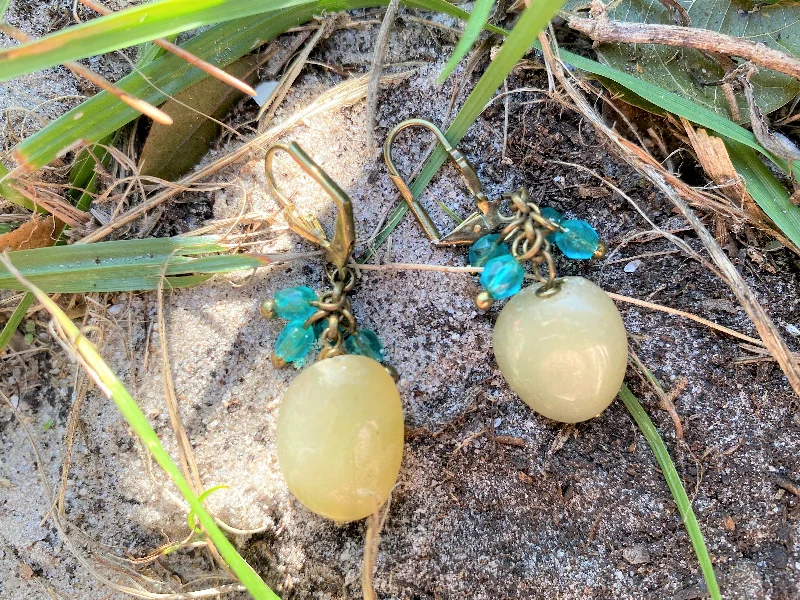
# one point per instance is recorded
(110, 384)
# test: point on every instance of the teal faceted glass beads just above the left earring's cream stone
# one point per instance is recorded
(296, 340)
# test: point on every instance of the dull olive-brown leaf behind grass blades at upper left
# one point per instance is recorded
(172, 150)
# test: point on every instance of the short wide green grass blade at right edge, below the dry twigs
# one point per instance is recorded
(765, 189)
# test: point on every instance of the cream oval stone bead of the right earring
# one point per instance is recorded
(564, 354)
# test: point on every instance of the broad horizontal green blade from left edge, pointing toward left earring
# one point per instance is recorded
(125, 265)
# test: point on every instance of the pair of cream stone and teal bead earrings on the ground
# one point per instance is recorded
(560, 343)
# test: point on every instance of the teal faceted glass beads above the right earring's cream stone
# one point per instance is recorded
(503, 275)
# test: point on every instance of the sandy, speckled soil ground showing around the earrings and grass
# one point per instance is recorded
(565, 512)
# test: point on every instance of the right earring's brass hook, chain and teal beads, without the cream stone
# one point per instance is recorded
(529, 230)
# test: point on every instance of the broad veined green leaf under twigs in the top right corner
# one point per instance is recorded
(685, 71)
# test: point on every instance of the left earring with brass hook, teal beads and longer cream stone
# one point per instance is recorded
(340, 425)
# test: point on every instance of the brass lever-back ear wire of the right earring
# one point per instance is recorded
(486, 219)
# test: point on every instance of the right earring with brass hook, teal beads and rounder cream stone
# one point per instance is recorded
(559, 343)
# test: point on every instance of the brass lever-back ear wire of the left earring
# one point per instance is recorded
(338, 250)
